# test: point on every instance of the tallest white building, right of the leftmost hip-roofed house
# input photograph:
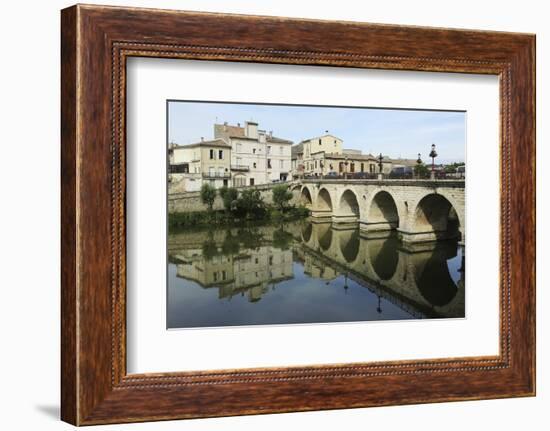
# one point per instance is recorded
(257, 157)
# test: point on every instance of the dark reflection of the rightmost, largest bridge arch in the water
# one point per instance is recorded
(433, 278)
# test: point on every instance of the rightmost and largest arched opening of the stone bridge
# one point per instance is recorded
(436, 214)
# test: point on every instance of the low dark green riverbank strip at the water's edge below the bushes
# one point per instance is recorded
(195, 219)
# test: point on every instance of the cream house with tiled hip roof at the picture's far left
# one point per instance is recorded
(194, 164)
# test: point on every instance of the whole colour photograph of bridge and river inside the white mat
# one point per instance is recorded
(301, 214)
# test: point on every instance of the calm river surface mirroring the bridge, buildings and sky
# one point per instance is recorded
(306, 272)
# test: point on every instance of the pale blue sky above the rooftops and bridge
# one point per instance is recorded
(393, 132)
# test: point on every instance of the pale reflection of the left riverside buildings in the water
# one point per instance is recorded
(251, 271)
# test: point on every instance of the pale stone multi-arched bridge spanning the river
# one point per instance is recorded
(420, 210)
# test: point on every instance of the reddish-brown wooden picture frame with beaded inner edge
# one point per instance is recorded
(95, 43)
